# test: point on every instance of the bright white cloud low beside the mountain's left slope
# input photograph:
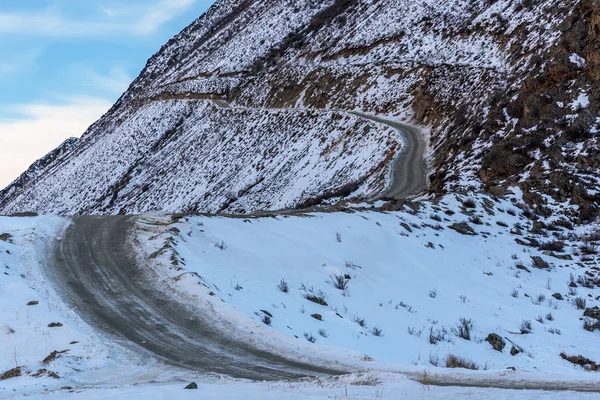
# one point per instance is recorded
(37, 129)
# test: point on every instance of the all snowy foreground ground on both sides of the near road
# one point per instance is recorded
(410, 277)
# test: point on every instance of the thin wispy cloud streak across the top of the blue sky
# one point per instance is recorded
(141, 20)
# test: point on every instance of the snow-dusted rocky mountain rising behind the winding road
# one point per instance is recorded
(506, 90)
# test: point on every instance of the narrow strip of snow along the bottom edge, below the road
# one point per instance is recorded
(354, 387)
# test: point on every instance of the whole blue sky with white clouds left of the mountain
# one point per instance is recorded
(63, 63)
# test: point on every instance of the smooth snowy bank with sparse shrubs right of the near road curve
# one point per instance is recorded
(403, 287)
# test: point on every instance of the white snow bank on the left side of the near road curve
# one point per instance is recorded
(44, 344)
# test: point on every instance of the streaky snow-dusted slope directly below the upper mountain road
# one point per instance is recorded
(193, 155)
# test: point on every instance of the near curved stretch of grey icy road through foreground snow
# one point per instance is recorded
(96, 271)
